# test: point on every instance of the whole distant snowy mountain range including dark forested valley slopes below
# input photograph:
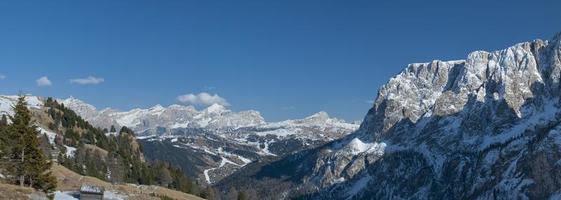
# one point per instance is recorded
(215, 142)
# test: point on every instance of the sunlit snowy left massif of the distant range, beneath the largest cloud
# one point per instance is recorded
(161, 120)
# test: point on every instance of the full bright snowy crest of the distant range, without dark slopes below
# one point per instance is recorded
(168, 121)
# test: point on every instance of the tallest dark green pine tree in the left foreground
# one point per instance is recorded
(29, 163)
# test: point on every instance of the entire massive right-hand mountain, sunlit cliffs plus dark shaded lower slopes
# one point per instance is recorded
(488, 127)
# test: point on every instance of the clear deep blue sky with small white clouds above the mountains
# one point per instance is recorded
(286, 59)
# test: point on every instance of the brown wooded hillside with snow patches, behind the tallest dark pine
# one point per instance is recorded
(67, 139)
